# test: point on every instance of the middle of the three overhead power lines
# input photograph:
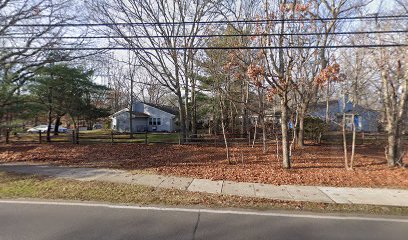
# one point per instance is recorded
(10, 36)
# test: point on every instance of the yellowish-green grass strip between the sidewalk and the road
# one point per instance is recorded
(17, 186)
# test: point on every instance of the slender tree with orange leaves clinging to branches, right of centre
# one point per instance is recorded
(276, 65)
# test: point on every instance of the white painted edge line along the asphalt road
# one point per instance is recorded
(192, 210)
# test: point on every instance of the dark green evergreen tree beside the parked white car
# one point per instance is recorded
(77, 87)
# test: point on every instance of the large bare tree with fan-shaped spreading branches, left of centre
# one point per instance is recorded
(171, 67)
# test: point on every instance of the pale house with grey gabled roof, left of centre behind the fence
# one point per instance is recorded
(145, 117)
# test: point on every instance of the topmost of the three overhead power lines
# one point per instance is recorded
(257, 21)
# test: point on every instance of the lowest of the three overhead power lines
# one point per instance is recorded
(202, 48)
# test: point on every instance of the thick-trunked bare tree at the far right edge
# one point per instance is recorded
(391, 66)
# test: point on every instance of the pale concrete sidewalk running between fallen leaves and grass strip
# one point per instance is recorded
(372, 196)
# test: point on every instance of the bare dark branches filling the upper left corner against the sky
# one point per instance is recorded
(17, 64)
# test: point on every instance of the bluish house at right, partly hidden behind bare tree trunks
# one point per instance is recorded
(365, 119)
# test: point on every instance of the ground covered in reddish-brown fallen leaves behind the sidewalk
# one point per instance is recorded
(314, 165)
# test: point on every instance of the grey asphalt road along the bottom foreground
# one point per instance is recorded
(54, 221)
